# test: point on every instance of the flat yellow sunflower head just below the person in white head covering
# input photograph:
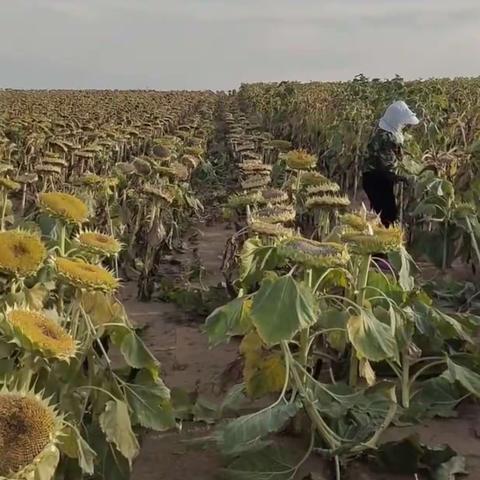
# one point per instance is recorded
(379, 240)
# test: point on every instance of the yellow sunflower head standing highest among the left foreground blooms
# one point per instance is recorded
(64, 207)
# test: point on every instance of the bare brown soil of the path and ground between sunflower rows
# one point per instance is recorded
(187, 362)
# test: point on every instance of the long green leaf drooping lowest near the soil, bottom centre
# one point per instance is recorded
(247, 432)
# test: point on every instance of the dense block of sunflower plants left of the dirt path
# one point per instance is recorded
(78, 184)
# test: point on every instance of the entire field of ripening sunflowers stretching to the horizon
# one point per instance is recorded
(97, 188)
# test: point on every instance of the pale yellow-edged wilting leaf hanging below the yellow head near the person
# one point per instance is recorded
(371, 338)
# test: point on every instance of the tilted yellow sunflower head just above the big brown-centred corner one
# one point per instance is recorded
(37, 332)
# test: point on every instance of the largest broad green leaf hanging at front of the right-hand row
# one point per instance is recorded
(281, 308)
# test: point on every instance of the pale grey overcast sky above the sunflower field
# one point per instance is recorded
(217, 44)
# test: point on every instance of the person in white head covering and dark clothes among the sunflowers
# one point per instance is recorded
(383, 153)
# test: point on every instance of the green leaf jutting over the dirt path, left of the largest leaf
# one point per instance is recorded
(228, 320)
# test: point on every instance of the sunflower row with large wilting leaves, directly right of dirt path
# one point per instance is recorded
(339, 348)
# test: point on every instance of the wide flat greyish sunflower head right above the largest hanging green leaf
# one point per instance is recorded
(312, 254)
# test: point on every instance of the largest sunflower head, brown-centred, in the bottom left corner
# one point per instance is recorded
(30, 429)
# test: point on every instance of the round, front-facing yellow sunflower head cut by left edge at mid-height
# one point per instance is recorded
(21, 253)
